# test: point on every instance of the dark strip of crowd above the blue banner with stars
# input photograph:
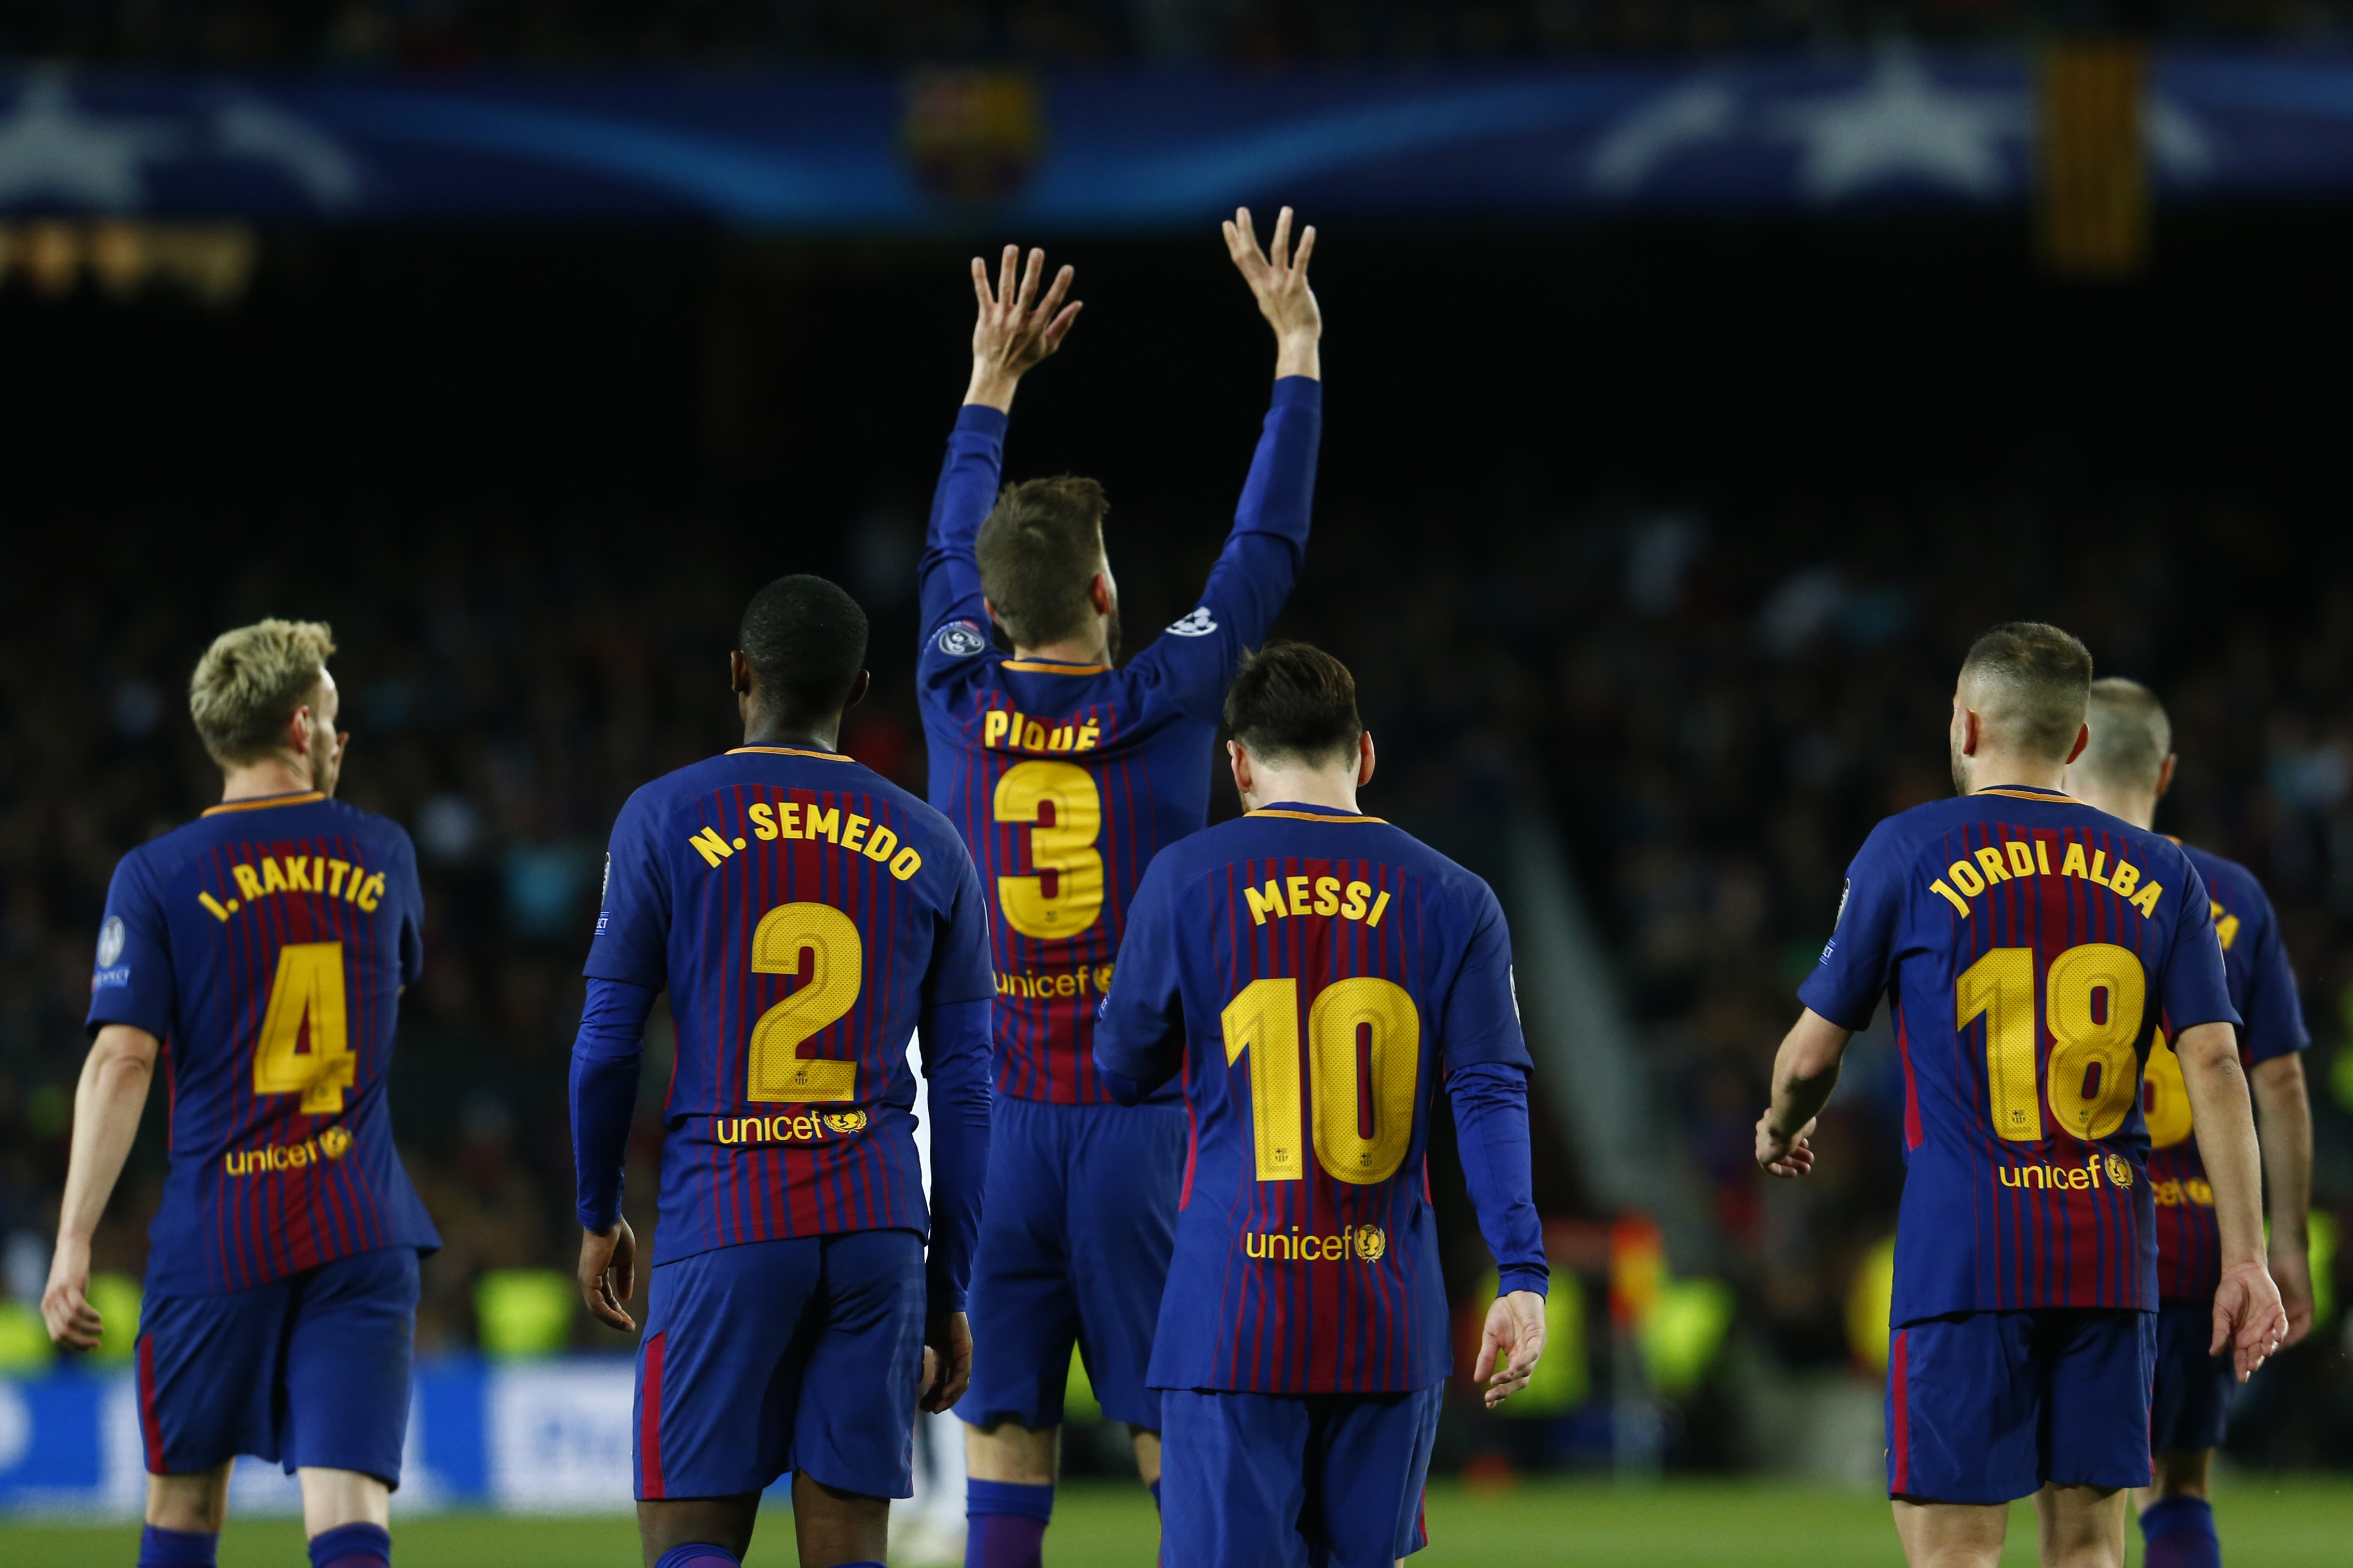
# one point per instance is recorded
(491, 34)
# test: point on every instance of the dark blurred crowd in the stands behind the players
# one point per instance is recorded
(1714, 710)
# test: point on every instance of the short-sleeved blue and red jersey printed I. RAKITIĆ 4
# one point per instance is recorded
(267, 945)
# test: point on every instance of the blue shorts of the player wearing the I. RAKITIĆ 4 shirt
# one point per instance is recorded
(309, 1369)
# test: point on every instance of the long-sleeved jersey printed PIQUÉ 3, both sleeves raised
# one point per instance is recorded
(1069, 778)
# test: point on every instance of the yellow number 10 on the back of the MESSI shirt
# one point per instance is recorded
(1354, 1141)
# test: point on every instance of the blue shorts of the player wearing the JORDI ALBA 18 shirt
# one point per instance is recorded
(1989, 1407)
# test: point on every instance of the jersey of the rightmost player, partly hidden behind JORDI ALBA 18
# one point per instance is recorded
(2272, 1025)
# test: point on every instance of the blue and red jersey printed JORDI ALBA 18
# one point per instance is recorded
(2032, 948)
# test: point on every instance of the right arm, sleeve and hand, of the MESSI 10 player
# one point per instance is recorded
(1486, 1063)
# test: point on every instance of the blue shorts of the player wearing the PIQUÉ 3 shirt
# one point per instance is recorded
(1074, 1249)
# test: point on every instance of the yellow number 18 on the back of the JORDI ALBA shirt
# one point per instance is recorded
(2095, 1072)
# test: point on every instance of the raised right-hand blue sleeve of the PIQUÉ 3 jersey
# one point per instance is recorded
(1260, 564)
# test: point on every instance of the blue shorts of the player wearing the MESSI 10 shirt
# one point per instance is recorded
(1293, 1480)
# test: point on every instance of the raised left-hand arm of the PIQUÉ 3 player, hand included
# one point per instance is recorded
(1013, 335)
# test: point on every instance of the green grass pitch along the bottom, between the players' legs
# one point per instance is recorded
(1580, 1524)
